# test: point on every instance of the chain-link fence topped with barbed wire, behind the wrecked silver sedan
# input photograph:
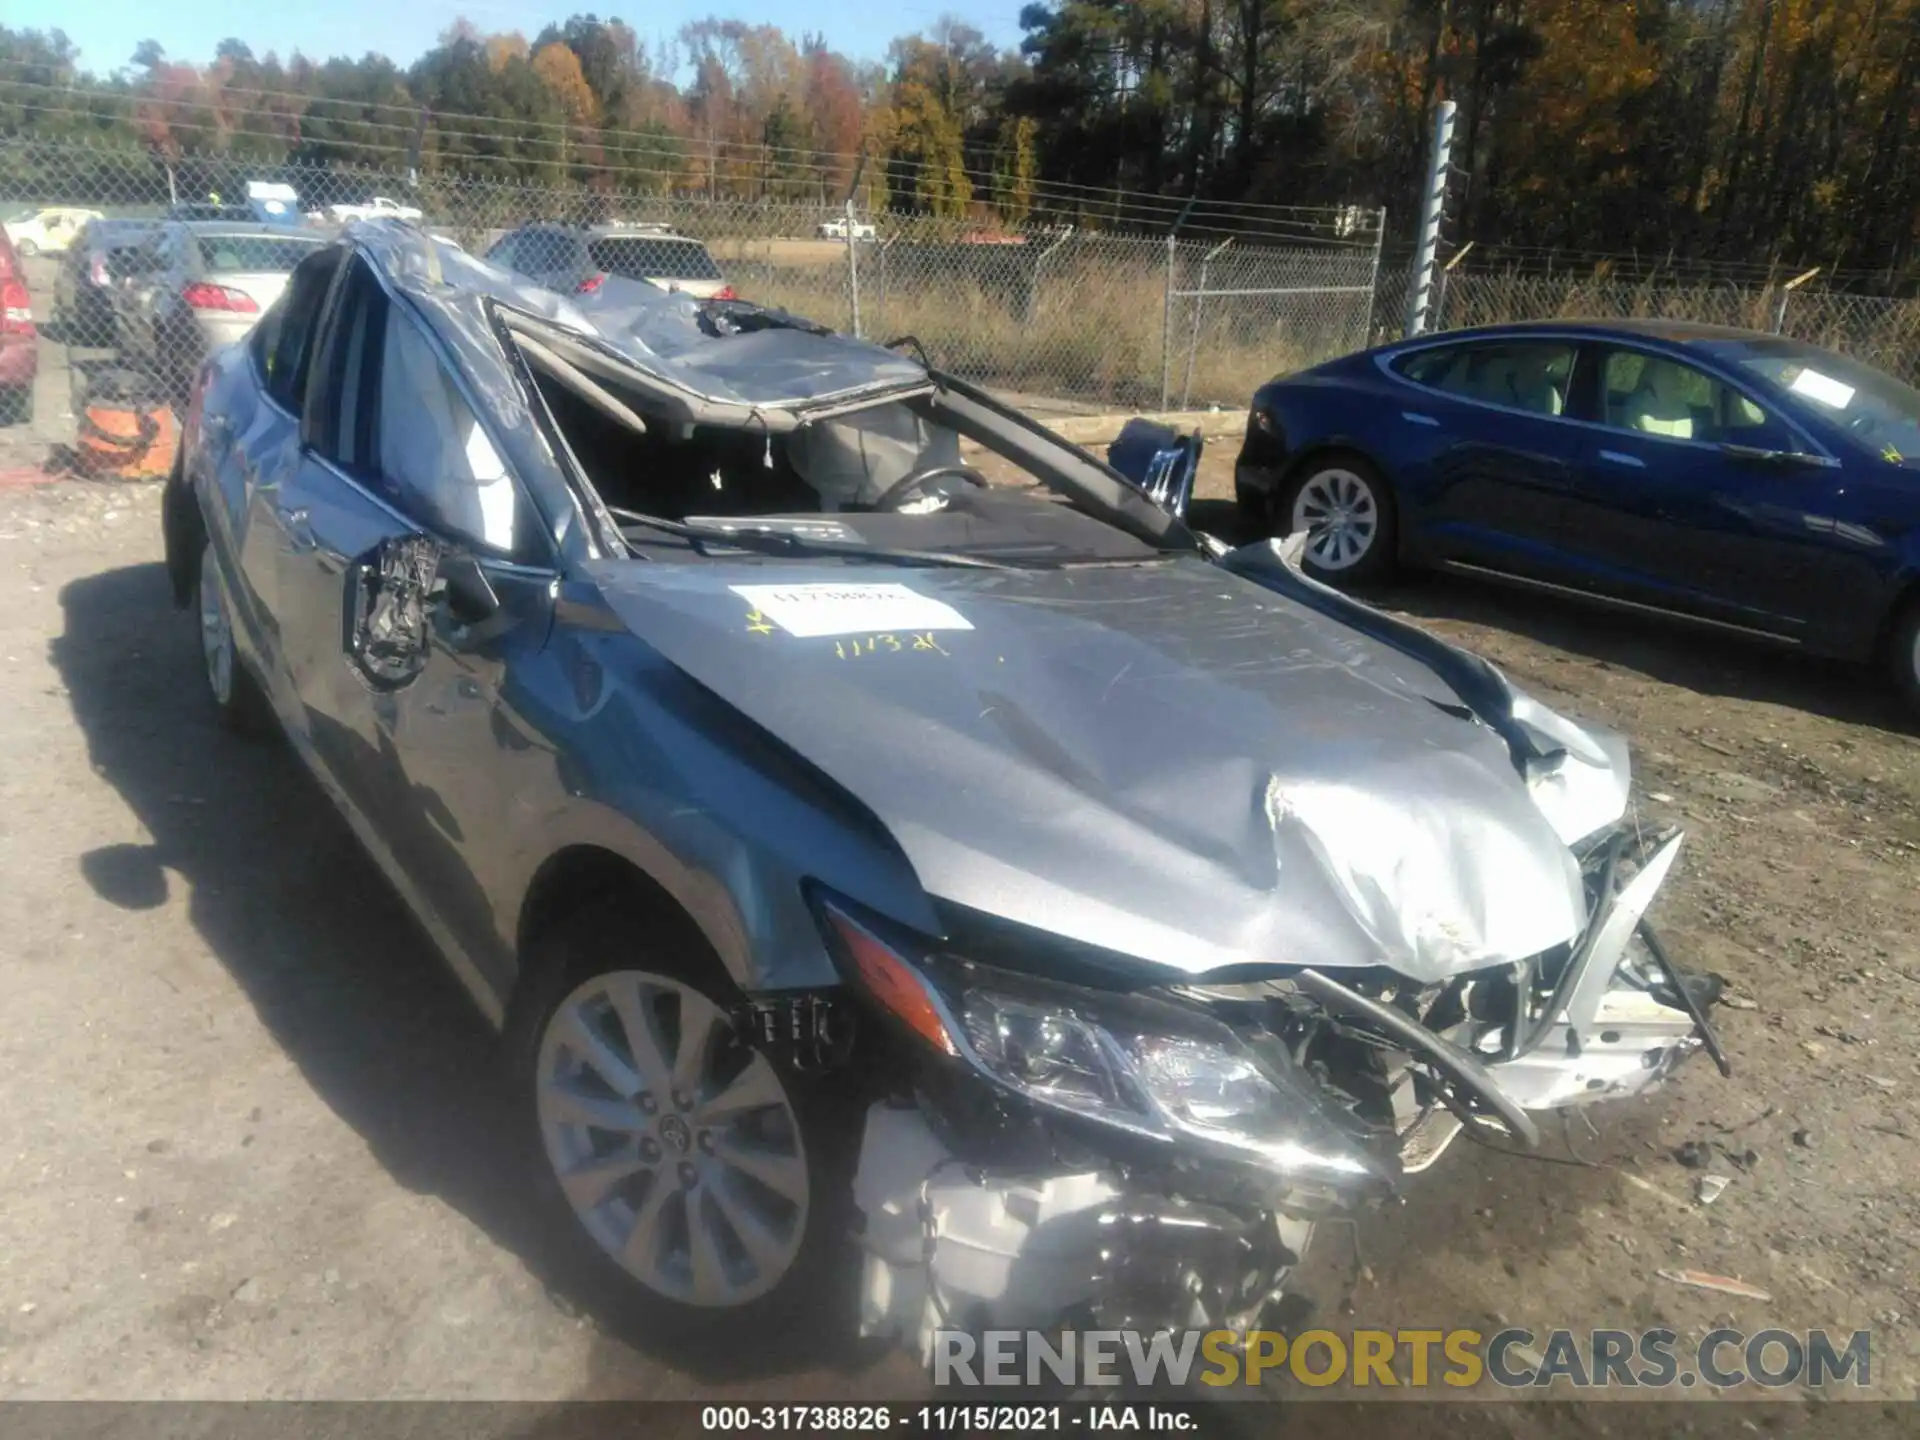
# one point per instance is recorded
(137, 266)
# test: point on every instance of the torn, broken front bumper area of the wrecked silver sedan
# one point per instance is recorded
(982, 1212)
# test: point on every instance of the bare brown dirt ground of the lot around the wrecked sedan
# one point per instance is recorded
(252, 1140)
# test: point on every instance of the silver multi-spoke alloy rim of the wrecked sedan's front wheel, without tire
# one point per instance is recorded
(675, 1143)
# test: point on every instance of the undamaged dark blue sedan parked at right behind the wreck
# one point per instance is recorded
(1723, 477)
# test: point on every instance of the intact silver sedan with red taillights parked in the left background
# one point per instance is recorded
(195, 287)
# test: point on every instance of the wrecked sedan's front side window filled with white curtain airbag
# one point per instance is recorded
(435, 454)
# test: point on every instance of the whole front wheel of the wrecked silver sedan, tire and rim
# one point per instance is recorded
(704, 1184)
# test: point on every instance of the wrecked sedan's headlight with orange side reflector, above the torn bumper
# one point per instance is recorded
(1157, 1070)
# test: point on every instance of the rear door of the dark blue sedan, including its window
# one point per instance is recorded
(1491, 450)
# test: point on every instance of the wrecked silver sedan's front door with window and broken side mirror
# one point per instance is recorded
(423, 581)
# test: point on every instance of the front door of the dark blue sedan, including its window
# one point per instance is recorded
(1696, 496)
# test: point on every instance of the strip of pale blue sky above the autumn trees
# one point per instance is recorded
(107, 32)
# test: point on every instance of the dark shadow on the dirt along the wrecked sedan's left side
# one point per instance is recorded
(331, 959)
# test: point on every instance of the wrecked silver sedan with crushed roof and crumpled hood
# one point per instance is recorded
(1063, 903)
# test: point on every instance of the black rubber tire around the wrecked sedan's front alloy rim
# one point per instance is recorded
(612, 938)
